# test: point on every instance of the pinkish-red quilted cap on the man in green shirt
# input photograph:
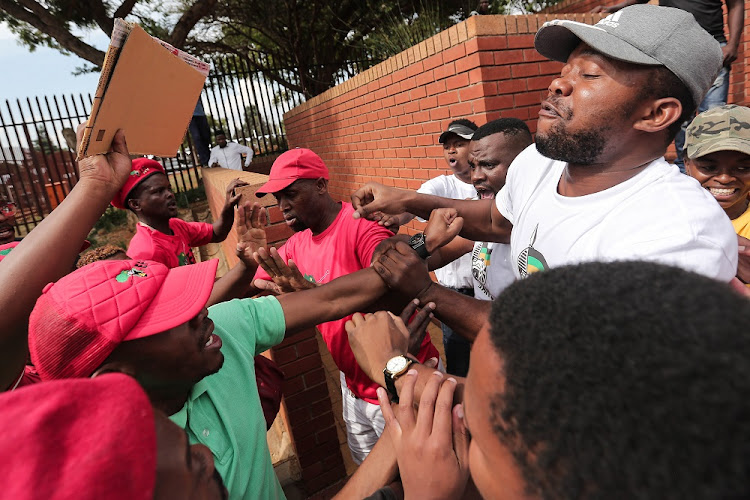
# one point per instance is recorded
(81, 319)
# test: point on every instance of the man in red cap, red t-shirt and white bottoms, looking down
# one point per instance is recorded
(329, 243)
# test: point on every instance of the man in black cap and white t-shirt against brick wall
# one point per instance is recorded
(455, 275)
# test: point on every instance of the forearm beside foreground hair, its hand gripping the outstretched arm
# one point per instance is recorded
(464, 315)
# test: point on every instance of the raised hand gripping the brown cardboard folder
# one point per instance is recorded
(111, 170)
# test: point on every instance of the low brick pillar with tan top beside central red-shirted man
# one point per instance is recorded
(307, 408)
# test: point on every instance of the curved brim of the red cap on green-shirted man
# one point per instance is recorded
(181, 297)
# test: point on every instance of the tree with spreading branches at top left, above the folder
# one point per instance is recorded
(53, 23)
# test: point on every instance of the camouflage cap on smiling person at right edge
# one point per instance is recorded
(725, 128)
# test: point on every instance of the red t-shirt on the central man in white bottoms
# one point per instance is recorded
(346, 246)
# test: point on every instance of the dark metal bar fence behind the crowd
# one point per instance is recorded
(37, 135)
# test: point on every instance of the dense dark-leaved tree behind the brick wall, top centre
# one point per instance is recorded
(304, 45)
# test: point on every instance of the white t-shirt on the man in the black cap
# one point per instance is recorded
(456, 274)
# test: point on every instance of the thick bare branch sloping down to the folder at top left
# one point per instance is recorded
(37, 16)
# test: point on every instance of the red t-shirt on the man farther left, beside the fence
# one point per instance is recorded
(174, 250)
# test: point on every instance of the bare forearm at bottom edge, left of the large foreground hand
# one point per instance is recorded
(378, 470)
